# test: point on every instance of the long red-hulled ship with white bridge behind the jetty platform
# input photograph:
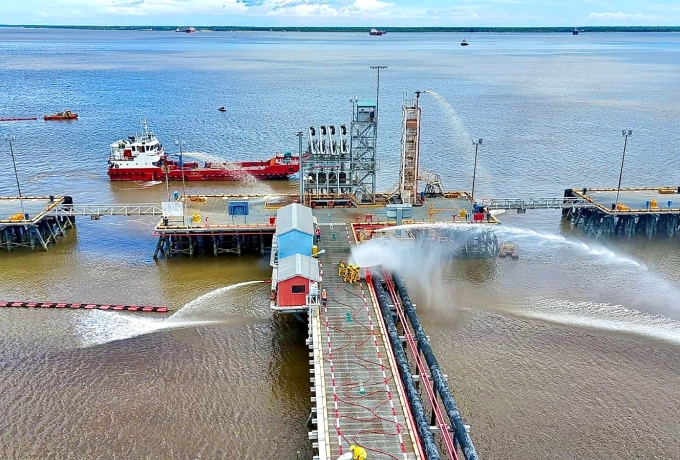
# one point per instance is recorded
(143, 158)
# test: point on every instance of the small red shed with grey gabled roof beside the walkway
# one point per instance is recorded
(294, 277)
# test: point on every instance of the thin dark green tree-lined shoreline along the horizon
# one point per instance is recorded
(584, 29)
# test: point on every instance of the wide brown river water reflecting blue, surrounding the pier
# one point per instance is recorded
(569, 352)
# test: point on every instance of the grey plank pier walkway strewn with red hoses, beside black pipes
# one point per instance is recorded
(358, 394)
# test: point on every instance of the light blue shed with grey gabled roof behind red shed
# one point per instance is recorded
(294, 230)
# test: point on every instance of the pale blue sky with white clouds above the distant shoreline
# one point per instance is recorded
(324, 13)
